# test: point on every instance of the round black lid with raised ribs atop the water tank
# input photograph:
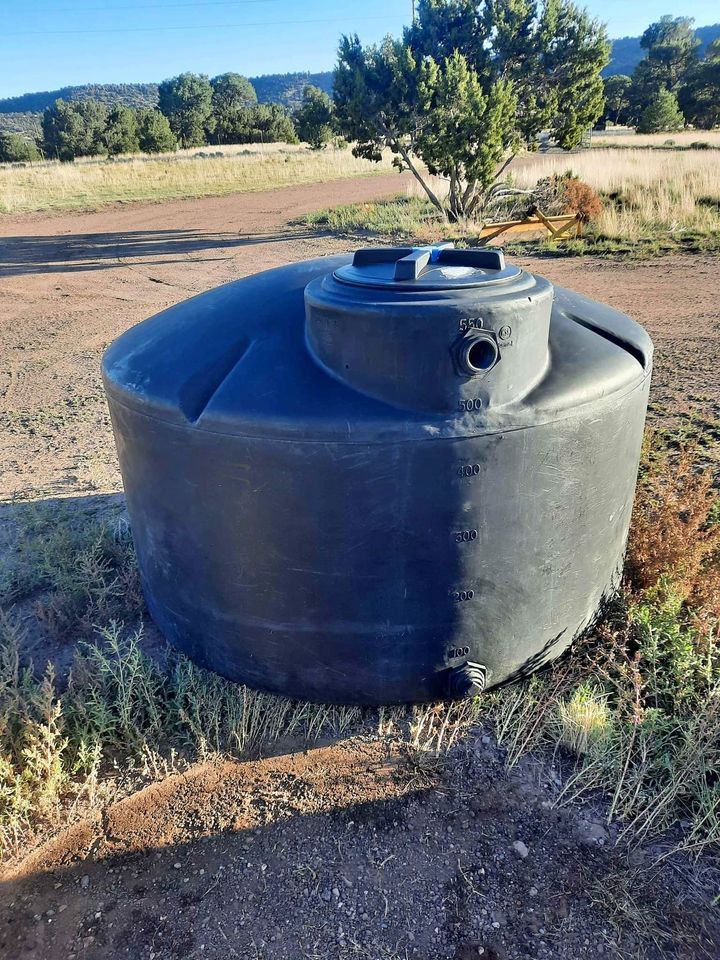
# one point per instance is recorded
(426, 268)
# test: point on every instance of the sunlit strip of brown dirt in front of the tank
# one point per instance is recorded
(216, 797)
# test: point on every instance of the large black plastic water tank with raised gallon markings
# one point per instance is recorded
(398, 476)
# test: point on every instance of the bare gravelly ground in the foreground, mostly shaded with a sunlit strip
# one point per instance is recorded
(354, 850)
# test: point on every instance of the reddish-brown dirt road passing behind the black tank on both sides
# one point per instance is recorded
(70, 284)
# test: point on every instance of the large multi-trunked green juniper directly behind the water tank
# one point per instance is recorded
(467, 84)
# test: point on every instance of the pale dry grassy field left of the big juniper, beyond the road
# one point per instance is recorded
(210, 171)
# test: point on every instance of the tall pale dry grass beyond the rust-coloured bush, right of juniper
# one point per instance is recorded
(647, 191)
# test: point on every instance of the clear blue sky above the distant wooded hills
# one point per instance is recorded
(46, 44)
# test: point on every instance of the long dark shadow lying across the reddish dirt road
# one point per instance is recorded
(97, 251)
